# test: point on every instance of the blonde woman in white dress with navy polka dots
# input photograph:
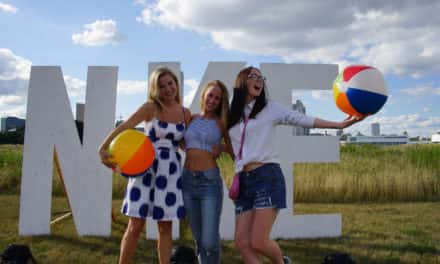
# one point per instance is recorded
(157, 193)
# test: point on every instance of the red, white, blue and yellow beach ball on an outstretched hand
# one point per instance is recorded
(360, 90)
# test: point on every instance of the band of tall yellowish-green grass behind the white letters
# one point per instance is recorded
(365, 173)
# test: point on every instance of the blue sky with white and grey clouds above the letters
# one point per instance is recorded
(395, 36)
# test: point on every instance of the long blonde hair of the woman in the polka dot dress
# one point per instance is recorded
(153, 86)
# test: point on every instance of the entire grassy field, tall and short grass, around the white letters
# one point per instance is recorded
(389, 198)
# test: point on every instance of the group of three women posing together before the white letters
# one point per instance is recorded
(250, 127)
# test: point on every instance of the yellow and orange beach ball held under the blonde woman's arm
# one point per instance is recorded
(133, 152)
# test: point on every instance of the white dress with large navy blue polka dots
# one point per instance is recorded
(158, 193)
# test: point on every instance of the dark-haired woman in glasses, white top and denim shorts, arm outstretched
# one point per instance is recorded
(262, 186)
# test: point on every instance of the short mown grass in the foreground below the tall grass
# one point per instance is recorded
(371, 233)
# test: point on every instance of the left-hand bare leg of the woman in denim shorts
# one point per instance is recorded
(243, 228)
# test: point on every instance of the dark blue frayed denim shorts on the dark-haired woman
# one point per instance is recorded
(263, 187)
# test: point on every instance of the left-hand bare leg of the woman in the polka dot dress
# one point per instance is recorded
(130, 239)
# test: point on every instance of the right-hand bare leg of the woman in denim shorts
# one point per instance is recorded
(263, 221)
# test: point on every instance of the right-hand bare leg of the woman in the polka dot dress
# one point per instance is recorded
(164, 242)
